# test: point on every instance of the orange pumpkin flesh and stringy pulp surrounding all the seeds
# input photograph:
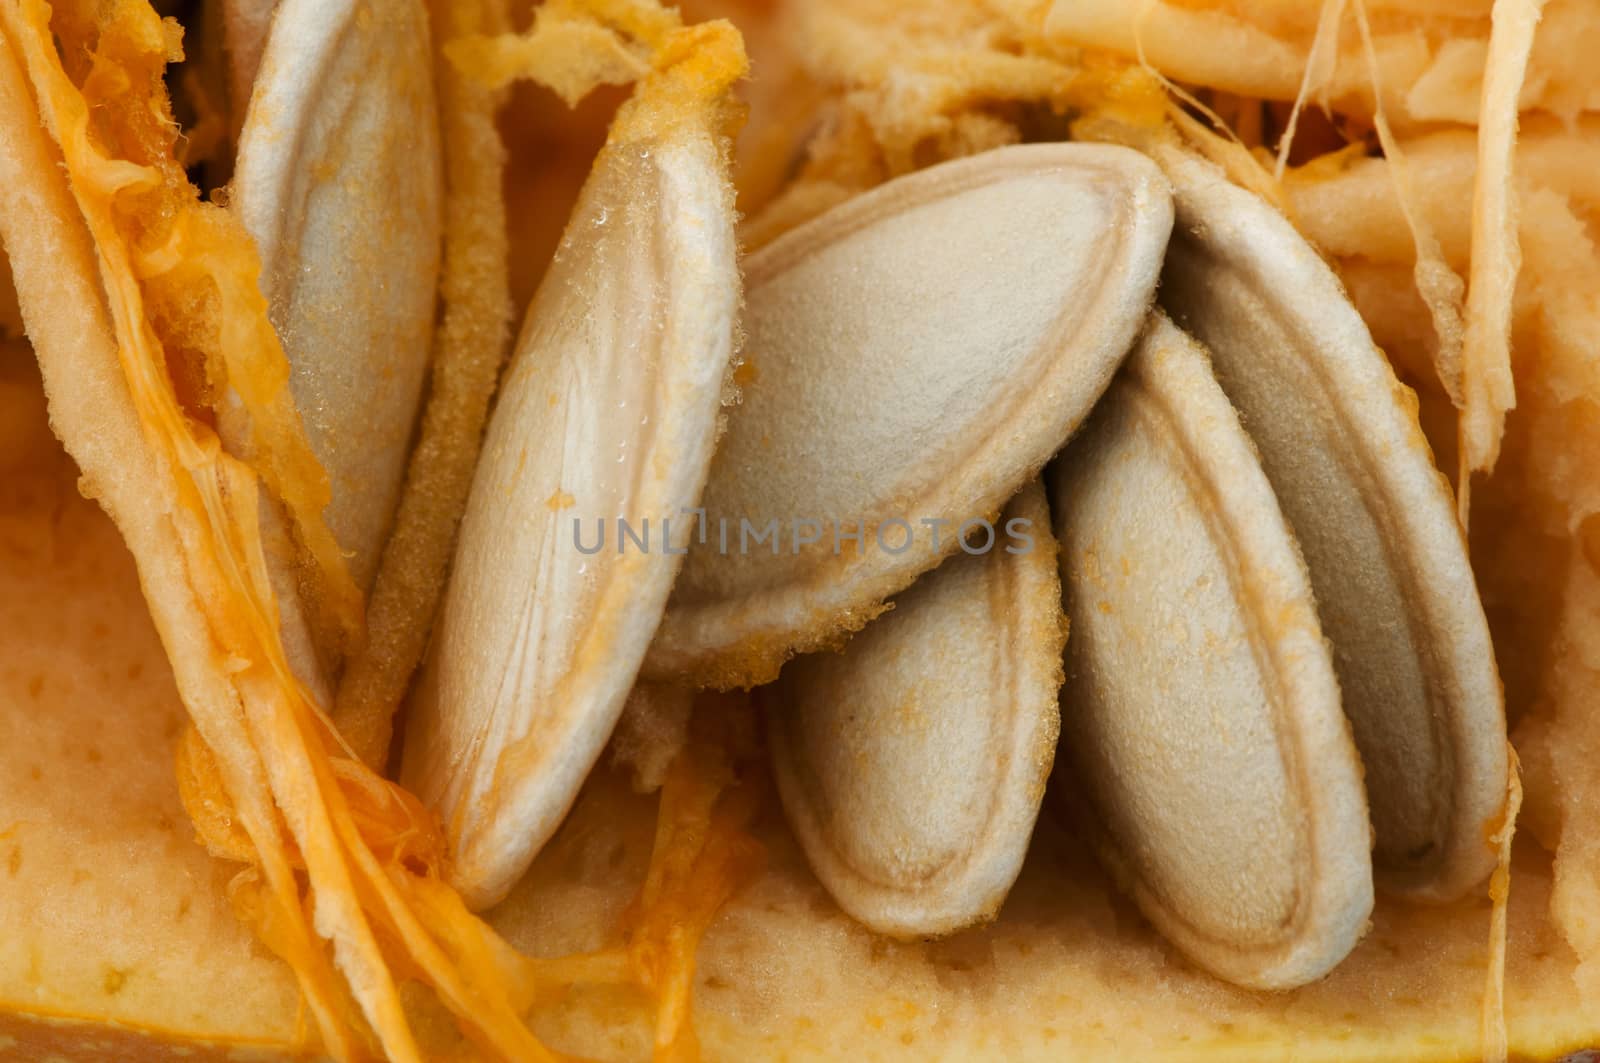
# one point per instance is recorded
(1439, 159)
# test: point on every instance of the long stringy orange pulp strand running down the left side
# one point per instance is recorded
(148, 225)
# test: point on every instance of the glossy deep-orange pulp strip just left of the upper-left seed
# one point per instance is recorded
(191, 263)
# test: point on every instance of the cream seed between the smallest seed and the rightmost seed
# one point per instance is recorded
(1201, 713)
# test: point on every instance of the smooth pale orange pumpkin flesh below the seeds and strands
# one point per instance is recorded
(121, 933)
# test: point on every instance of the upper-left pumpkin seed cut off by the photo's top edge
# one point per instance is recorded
(340, 183)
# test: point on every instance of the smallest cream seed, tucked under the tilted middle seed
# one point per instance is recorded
(913, 763)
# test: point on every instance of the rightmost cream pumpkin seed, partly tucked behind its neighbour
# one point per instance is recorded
(1354, 475)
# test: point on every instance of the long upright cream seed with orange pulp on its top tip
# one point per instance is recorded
(609, 412)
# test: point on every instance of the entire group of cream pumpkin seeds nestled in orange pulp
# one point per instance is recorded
(1244, 633)
